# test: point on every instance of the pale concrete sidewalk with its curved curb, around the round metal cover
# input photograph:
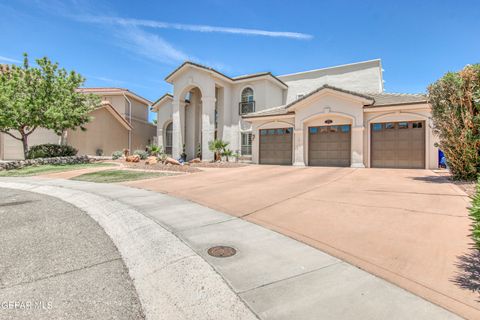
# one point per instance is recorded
(164, 241)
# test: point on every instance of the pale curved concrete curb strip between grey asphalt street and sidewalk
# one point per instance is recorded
(171, 280)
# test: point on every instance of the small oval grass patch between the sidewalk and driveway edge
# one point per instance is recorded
(111, 176)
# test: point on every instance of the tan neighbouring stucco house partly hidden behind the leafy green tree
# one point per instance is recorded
(120, 122)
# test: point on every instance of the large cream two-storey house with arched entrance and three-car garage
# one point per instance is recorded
(336, 116)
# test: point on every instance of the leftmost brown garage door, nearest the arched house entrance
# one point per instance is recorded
(276, 146)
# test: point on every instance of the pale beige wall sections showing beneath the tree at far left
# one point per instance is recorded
(11, 149)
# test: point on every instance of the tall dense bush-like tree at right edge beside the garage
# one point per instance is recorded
(455, 100)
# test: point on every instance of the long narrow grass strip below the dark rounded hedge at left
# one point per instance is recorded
(50, 168)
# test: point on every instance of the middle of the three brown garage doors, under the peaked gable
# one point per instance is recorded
(329, 146)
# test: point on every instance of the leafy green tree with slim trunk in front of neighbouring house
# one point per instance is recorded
(45, 96)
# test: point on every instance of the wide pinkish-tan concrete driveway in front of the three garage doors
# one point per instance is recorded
(410, 227)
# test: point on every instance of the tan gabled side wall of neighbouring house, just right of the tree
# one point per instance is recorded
(103, 132)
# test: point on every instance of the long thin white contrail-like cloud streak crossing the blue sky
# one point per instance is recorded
(193, 27)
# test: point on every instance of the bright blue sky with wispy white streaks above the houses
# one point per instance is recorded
(135, 44)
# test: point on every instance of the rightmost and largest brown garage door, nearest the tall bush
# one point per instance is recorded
(398, 145)
